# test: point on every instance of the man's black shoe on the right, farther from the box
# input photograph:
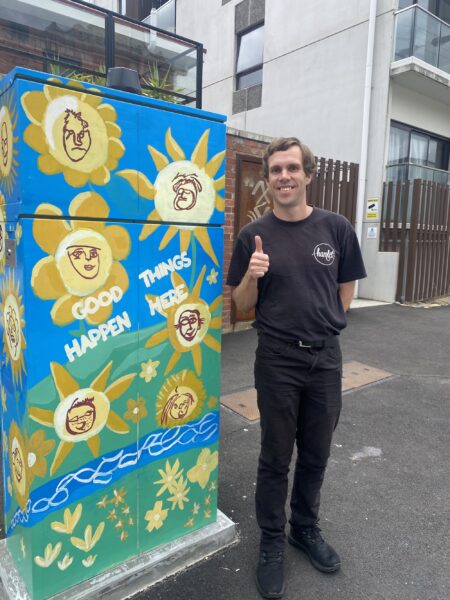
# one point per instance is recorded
(321, 554)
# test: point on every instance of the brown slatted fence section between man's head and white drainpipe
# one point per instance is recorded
(335, 187)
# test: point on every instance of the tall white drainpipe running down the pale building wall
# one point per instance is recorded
(360, 200)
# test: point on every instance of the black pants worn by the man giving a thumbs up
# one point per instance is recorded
(299, 400)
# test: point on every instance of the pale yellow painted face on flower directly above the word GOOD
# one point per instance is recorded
(84, 261)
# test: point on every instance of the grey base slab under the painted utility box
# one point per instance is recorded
(134, 575)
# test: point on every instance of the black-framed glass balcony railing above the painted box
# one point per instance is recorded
(73, 38)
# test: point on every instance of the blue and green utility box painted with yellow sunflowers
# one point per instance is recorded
(111, 207)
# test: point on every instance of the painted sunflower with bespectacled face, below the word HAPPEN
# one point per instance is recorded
(82, 413)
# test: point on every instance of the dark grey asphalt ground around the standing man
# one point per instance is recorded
(386, 497)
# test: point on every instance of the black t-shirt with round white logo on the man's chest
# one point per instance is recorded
(298, 298)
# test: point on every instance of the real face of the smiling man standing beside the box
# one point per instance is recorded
(287, 180)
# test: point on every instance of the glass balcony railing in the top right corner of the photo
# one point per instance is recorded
(423, 35)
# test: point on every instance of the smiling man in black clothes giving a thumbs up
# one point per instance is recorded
(297, 266)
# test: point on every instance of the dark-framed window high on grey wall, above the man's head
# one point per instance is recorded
(250, 58)
